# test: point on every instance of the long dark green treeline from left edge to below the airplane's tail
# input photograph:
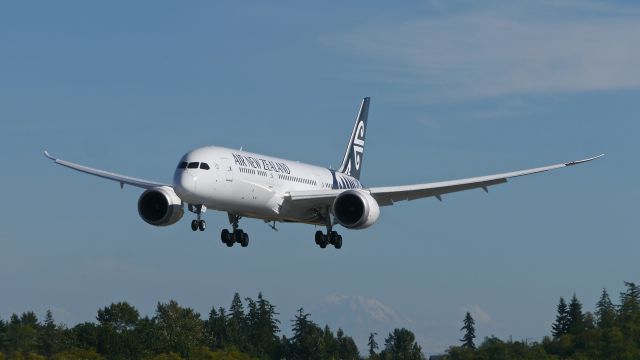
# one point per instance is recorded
(246, 330)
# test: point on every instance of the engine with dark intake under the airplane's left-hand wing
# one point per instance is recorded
(160, 206)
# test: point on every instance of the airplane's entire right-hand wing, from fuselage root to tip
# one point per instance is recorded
(389, 195)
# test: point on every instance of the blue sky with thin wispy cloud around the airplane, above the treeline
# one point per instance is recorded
(458, 89)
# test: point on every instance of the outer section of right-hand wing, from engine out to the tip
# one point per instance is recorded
(391, 194)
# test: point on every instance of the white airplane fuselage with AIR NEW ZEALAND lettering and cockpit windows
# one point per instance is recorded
(252, 185)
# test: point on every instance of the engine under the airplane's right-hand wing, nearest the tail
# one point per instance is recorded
(355, 209)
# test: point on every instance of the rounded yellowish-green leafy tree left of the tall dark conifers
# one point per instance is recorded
(179, 329)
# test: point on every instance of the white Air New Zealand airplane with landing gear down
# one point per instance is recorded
(249, 185)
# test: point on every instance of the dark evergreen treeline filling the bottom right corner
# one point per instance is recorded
(612, 331)
